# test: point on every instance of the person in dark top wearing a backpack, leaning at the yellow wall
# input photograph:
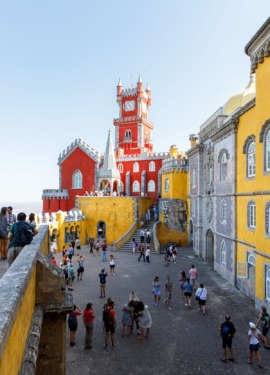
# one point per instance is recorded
(20, 234)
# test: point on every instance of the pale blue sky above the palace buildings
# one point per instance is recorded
(60, 62)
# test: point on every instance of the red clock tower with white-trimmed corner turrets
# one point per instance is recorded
(133, 130)
